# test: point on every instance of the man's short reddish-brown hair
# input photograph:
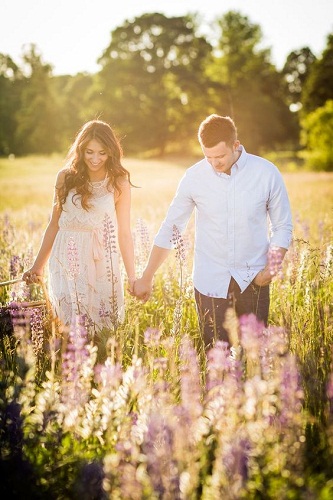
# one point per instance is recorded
(215, 129)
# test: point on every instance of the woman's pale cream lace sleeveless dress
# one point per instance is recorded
(84, 270)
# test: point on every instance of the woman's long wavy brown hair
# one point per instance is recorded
(76, 176)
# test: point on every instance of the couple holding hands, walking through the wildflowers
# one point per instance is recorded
(242, 213)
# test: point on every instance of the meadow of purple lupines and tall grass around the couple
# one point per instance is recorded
(140, 411)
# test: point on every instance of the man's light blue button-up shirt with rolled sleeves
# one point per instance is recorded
(237, 218)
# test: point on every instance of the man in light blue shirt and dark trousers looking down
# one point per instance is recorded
(242, 212)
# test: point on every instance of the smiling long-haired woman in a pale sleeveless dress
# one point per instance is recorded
(90, 219)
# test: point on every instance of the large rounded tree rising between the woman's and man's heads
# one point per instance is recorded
(152, 79)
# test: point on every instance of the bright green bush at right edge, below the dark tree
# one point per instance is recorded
(317, 133)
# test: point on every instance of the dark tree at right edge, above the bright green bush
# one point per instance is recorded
(318, 87)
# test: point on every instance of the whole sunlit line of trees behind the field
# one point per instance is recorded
(159, 77)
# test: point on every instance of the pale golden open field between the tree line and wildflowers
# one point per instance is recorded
(26, 187)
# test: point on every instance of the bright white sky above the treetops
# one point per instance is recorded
(72, 34)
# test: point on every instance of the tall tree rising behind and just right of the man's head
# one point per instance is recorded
(252, 91)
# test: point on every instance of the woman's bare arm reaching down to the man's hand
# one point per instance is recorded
(125, 239)
